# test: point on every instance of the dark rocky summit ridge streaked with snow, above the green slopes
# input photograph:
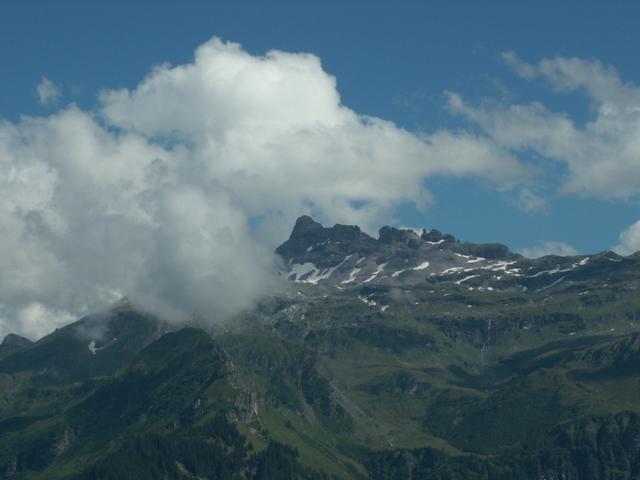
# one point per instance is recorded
(344, 257)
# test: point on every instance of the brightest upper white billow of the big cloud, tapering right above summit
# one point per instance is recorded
(280, 136)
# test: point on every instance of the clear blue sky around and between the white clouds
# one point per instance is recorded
(391, 61)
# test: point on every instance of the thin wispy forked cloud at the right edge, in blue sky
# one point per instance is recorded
(602, 157)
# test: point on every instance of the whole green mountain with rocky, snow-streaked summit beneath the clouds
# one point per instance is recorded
(407, 356)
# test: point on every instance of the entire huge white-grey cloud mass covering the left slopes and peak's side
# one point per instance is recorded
(200, 171)
